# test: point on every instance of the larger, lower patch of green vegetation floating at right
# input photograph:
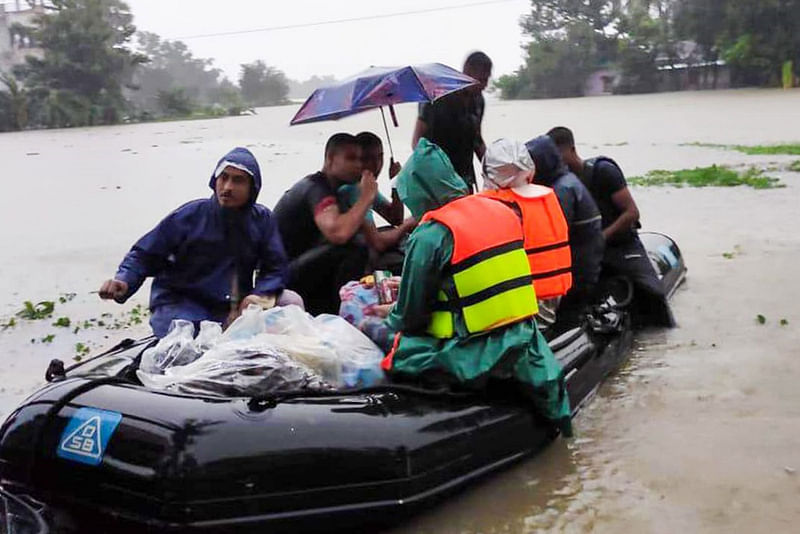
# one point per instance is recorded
(713, 176)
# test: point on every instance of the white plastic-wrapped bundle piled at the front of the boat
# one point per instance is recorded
(262, 351)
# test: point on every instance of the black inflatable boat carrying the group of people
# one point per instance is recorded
(94, 451)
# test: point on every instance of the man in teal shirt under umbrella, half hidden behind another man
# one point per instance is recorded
(386, 243)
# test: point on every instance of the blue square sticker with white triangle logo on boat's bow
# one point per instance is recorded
(86, 435)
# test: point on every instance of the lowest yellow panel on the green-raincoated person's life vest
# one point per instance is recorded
(504, 308)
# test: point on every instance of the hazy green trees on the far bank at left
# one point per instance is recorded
(95, 68)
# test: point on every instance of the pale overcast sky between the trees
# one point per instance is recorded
(338, 49)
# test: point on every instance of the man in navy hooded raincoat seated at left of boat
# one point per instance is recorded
(203, 255)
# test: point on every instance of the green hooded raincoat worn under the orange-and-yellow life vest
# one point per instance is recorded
(516, 352)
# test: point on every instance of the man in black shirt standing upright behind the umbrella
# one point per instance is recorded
(454, 121)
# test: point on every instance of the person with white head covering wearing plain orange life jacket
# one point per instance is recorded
(508, 173)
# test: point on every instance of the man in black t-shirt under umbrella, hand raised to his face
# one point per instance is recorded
(320, 234)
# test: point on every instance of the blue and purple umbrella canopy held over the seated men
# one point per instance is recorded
(381, 86)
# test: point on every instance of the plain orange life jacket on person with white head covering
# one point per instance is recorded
(546, 237)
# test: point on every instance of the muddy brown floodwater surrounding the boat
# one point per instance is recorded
(699, 432)
